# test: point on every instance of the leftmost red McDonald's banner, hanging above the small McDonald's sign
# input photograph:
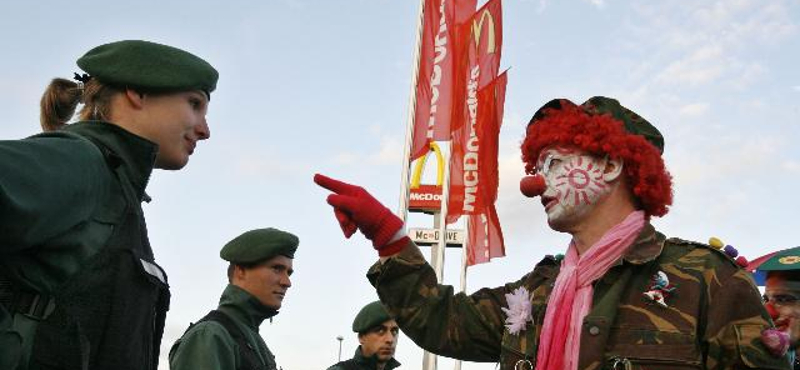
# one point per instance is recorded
(435, 89)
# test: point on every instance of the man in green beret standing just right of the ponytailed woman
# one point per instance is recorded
(227, 338)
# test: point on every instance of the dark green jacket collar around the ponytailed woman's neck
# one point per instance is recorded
(137, 155)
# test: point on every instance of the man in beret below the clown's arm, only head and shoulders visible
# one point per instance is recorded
(377, 333)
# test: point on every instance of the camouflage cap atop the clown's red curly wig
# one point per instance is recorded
(598, 105)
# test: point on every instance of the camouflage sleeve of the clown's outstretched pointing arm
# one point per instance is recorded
(466, 327)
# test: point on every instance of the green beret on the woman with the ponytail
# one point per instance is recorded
(149, 66)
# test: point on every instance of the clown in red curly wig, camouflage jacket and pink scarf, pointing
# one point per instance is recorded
(598, 172)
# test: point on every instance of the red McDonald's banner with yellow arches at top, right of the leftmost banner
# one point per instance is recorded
(473, 158)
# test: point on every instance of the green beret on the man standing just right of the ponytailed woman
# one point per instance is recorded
(259, 245)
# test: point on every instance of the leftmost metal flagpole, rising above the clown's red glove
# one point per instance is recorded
(410, 119)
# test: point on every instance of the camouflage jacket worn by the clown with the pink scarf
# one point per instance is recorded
(713, 317)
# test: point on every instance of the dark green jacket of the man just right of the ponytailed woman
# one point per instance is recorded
(208, 346)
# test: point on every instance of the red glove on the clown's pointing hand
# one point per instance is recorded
(355, 209)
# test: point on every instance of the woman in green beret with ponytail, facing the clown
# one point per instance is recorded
(79, 285)
